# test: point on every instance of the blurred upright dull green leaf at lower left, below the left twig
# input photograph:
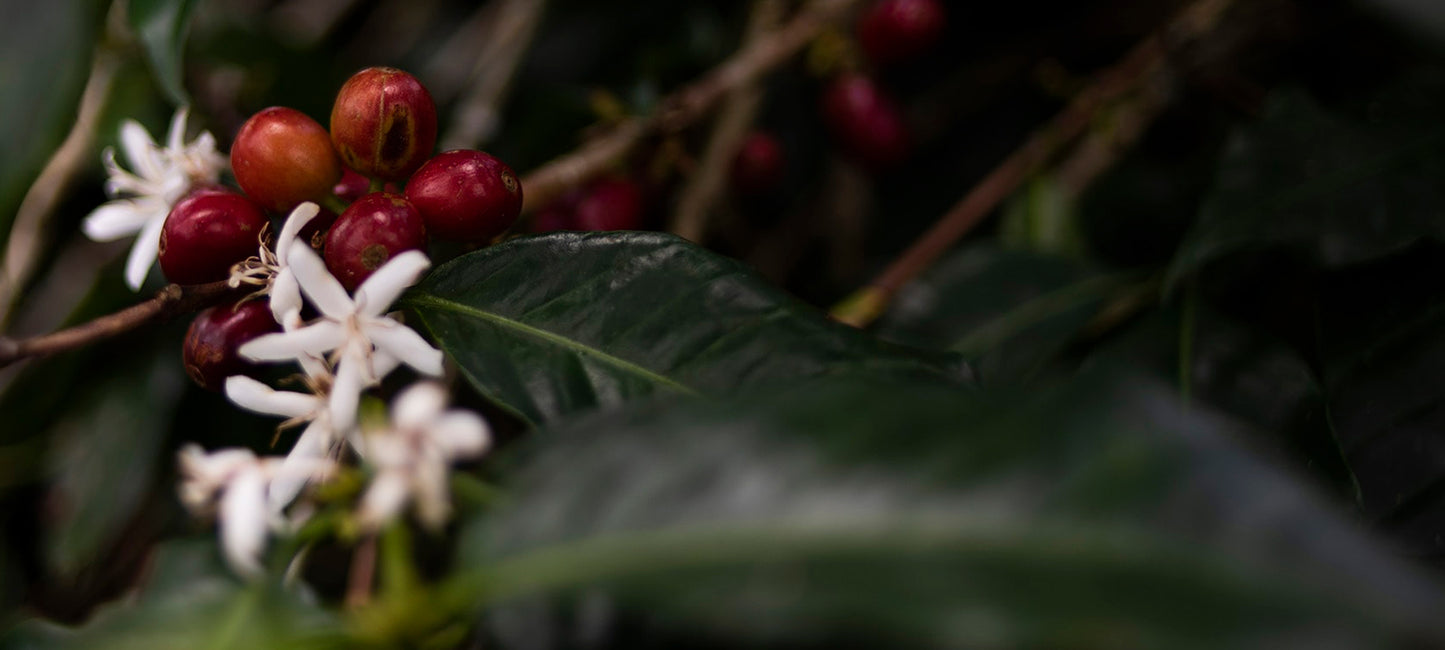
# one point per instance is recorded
(105, 457)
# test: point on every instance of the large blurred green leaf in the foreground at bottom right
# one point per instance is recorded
(1095, 515)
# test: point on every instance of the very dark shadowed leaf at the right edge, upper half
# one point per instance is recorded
(1340, 191)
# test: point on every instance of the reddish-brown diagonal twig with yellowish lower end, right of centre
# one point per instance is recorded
(1147, 63)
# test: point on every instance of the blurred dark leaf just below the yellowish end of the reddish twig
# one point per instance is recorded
(1006, 311)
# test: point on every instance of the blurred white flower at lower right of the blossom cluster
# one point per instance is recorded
(414, 457)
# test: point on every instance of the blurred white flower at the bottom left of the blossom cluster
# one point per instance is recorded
(238, 480)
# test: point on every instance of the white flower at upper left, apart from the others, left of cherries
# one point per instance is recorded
(158, 178)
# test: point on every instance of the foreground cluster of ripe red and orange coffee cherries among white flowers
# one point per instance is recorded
(375, 165)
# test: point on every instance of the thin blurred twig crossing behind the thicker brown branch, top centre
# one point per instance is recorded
(735, 119)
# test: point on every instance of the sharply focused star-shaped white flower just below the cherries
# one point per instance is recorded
(362, 342)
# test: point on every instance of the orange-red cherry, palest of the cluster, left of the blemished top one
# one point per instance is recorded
(282, 158)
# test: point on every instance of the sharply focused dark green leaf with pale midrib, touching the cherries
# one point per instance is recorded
(566, 323)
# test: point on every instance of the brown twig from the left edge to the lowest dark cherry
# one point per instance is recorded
(173, 301)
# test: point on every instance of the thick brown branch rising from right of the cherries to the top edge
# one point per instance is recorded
(681, 109)
